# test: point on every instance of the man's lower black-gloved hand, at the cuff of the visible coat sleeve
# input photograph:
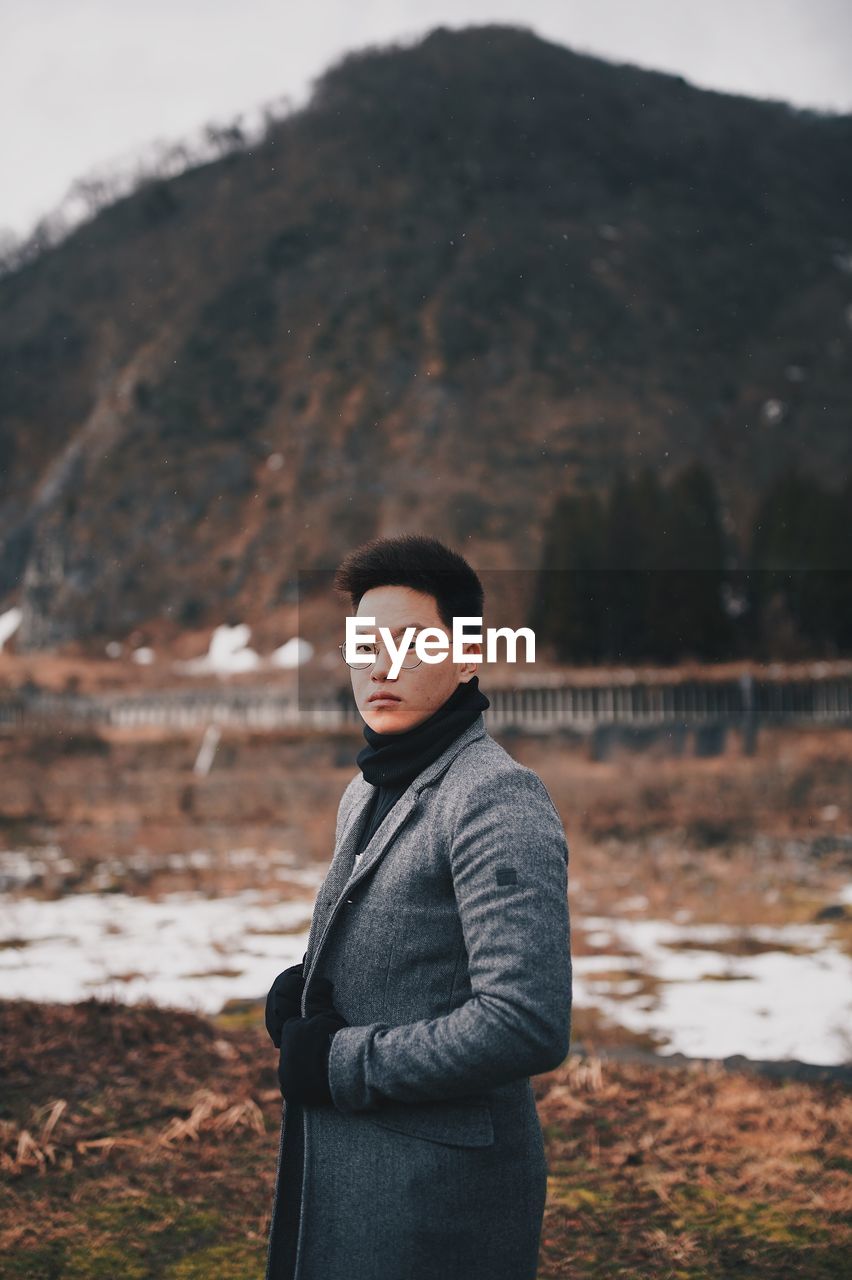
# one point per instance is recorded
(306, 1044)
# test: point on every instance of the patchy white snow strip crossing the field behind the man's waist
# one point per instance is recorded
(682, 982)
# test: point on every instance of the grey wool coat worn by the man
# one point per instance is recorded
(450, 952)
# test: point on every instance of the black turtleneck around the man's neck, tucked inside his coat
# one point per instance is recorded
(391, 762)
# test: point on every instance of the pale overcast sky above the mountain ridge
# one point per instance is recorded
(85, 84)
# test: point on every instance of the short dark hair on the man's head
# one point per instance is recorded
(419, 563)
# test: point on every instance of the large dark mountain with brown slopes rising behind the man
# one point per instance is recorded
(471, 277)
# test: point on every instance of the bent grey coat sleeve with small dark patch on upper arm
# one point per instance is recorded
(510, 862)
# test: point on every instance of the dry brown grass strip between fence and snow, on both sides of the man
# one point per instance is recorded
(766, 839)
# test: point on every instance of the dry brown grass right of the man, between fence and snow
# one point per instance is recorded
(736, 840)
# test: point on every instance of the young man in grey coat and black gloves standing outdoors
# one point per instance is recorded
(437, 979)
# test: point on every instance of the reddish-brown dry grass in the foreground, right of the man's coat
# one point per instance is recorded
(694, 1172)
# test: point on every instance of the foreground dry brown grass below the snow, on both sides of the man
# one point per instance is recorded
(148, 1127)
